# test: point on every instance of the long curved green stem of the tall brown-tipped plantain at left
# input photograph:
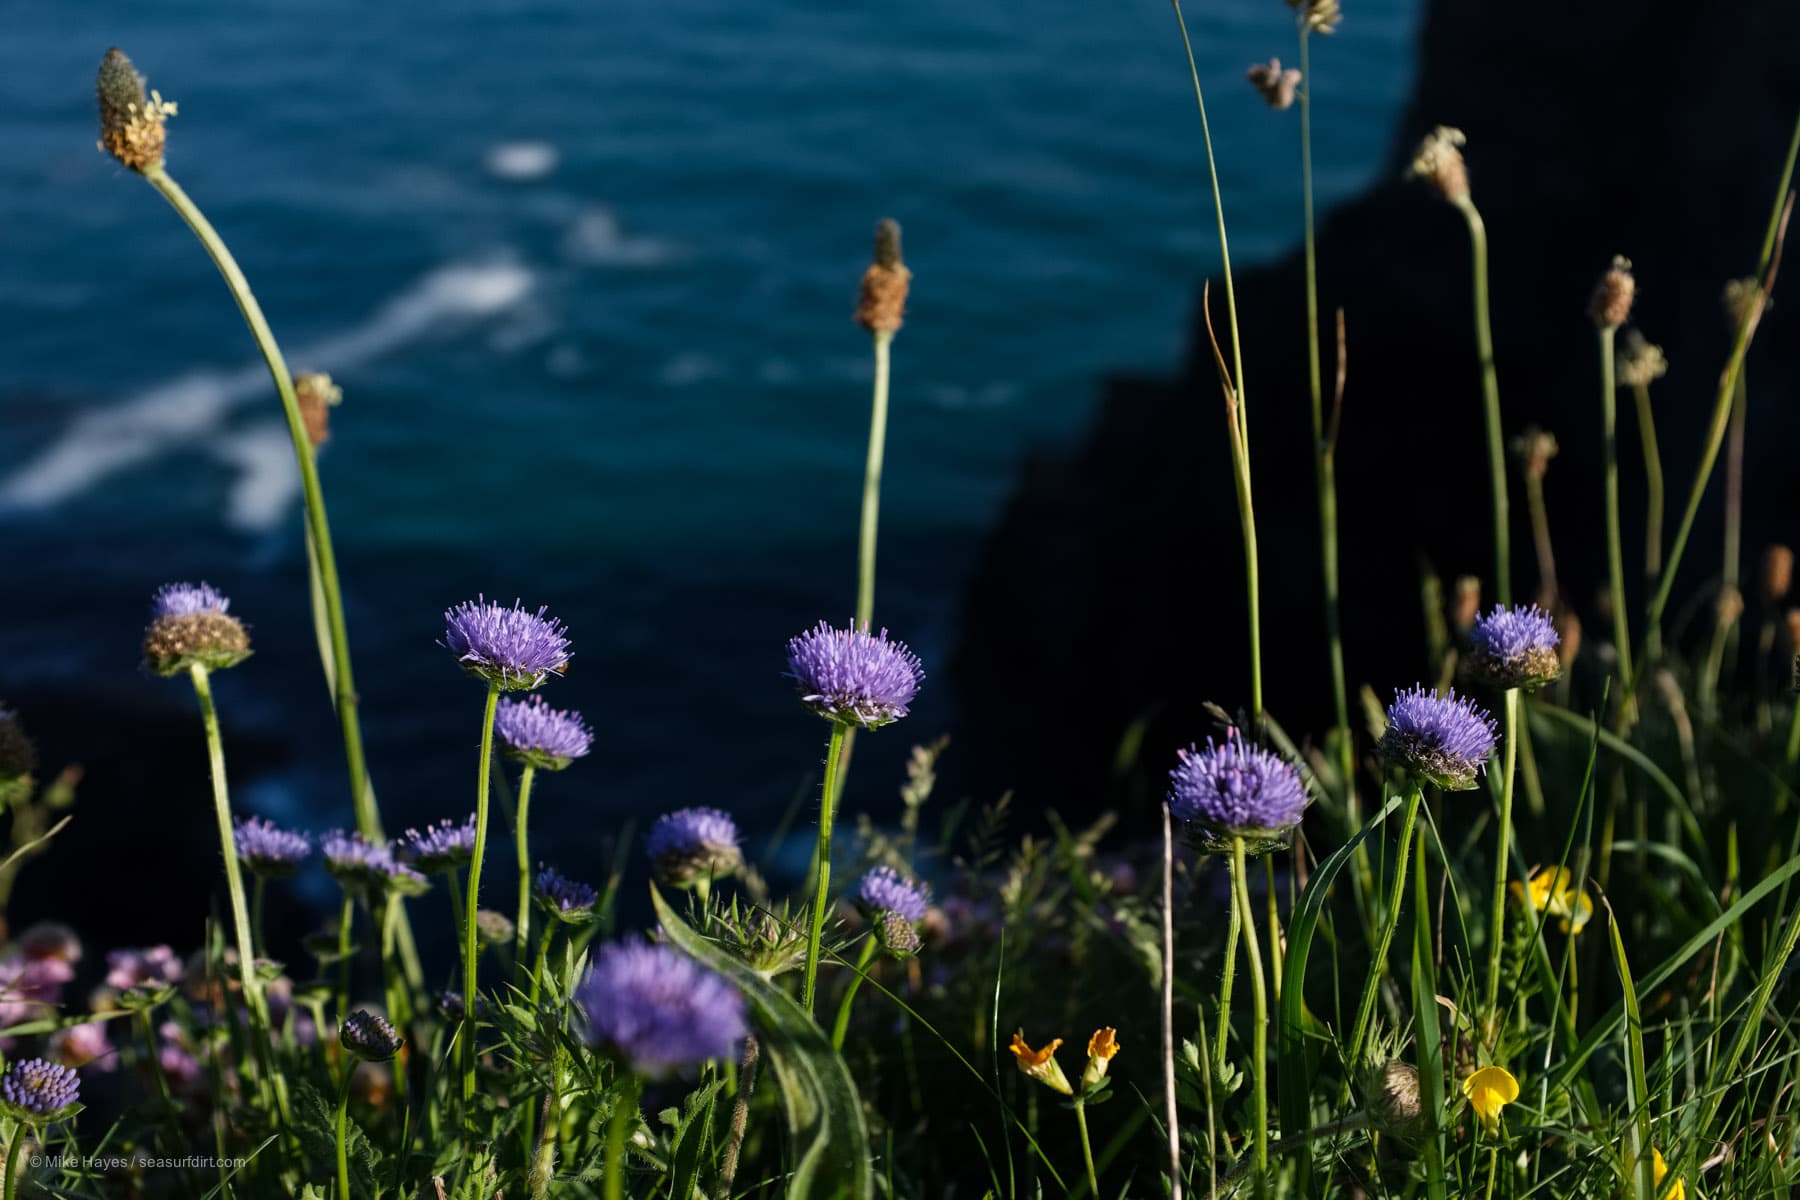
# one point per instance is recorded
(318, 526)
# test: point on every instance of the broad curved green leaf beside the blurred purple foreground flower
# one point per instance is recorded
(823, 1109)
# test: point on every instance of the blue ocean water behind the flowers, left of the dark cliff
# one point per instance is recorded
(584, 274)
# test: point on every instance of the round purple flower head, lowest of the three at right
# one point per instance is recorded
(1236, 789)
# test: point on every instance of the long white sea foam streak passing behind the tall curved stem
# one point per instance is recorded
(193, 407)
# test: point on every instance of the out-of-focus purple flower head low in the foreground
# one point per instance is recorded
(660, 1010)
